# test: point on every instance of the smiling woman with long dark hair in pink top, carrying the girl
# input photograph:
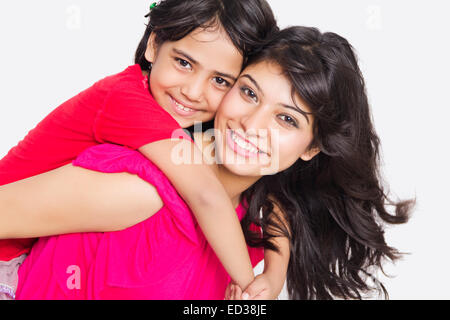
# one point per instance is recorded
(322, 213)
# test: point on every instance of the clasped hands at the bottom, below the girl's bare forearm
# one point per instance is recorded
(261, 288)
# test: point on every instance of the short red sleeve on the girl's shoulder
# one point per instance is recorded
(132, 118)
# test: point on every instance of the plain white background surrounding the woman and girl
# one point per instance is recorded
(51, 50)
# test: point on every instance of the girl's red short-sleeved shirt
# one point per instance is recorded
(118, 109)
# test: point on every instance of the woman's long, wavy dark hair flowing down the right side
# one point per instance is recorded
(333, 207)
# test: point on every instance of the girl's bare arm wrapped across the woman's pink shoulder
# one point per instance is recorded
(211, 205)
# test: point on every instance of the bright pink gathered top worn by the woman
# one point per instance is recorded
(165, 257)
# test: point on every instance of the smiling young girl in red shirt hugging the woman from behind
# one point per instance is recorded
(192, 53)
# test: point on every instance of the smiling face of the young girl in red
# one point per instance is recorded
(190, 77)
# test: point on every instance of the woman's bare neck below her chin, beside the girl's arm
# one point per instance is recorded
(234, 184)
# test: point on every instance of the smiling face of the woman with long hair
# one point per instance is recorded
(260, 126)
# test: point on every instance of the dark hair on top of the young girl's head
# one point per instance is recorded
(247, 22)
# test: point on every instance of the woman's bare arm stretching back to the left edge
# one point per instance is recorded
(72, 199)
